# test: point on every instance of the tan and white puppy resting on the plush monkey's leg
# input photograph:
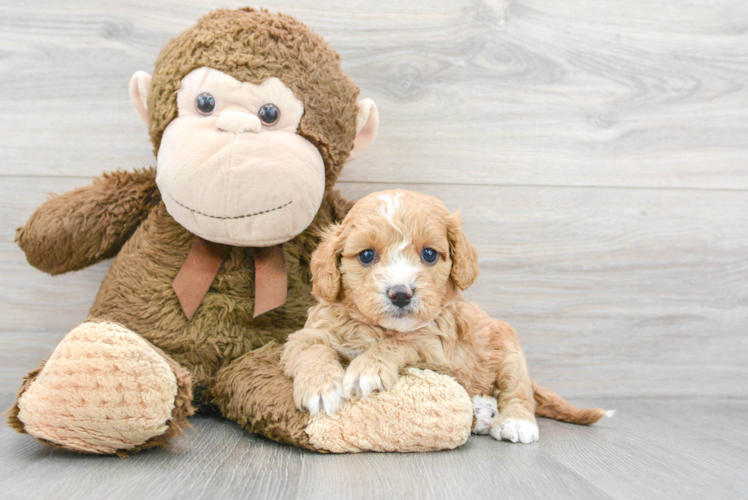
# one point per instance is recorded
(389, 281)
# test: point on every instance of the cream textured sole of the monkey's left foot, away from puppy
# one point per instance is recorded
(104, 389)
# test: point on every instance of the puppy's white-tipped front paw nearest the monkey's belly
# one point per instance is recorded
(320, 391)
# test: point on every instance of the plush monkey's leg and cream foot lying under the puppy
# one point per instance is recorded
(423, 411)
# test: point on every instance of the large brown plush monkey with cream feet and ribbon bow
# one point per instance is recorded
(251, 118)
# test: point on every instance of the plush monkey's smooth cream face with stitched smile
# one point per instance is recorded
(227, 176)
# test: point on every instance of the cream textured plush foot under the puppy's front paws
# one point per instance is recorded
(424, 411)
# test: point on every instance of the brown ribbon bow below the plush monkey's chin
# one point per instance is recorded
(205, 259)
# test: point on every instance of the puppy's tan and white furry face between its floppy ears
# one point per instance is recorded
(398, 233)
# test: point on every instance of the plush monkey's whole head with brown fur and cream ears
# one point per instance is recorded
(251, 119)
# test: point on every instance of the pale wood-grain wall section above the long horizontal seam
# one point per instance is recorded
(633, 93)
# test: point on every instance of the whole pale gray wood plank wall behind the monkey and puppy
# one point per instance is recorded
(598, 152)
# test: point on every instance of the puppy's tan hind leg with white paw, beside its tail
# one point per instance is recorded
(516, 404)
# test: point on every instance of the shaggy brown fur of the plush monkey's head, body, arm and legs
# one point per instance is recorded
(121, 215)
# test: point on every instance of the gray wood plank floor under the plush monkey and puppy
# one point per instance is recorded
(630, 456)
